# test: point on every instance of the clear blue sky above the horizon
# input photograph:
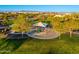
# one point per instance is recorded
(45, 8)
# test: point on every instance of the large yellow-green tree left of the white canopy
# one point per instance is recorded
(20, 24)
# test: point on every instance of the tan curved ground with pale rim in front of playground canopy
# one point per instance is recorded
(43, 35)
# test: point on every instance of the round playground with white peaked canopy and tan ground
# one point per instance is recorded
(41, 31)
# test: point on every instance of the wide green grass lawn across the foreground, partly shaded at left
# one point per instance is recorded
(64, 45)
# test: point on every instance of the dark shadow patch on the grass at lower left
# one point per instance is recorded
(11, 44)
